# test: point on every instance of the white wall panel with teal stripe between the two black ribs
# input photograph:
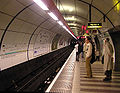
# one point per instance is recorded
(14, 50)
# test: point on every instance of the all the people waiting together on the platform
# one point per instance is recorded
(86, 51)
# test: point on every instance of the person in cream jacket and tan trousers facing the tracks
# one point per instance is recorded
(88, 56)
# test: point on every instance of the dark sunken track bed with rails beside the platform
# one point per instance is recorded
(14, 78)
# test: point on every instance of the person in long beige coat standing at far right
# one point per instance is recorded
(108, 60)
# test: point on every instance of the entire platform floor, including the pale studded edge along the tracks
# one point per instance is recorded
(72, 79)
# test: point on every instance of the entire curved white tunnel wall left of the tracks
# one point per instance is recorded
(27, 32)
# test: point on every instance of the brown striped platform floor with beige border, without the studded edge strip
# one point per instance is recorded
(95, 84)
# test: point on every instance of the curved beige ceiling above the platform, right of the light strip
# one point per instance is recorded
(79, 9)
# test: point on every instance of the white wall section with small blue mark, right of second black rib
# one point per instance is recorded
(42, 43)
